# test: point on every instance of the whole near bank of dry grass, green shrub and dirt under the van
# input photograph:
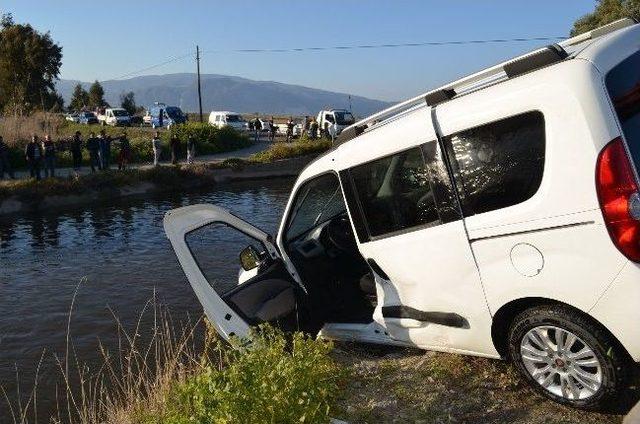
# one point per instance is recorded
(161, 372)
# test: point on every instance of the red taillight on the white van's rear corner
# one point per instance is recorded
(619, 198)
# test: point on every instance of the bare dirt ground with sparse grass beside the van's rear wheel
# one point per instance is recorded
(390, 385)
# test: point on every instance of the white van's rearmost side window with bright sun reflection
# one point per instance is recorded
(499, 164)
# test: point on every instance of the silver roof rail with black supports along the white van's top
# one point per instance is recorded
(511, 68)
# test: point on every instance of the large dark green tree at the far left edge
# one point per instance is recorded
(29, 66)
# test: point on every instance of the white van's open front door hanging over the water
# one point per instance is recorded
(265, 293)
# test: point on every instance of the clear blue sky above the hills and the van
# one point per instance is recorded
(106, 39)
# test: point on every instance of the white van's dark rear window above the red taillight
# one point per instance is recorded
(623, 83)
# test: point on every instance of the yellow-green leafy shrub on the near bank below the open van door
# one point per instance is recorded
(271, 380)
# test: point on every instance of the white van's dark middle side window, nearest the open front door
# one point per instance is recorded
(395, 193)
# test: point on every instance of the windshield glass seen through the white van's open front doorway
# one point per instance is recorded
(317, 202)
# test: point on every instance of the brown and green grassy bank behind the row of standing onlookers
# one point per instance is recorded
(209, 140)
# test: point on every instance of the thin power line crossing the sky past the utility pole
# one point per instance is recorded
(345, 47)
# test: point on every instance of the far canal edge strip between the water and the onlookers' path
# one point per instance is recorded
(245, 172)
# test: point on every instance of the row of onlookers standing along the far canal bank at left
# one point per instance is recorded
(41, 155)
